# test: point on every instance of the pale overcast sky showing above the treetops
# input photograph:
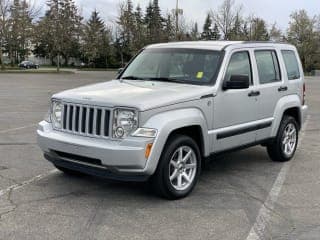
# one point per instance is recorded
(196, 10)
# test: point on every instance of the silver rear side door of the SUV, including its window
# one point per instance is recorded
(270, 86)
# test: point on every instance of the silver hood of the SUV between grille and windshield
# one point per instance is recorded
(142, 95)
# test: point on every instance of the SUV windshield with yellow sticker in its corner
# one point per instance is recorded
(193, 66)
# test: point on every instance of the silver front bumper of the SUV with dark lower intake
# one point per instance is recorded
(123, 159)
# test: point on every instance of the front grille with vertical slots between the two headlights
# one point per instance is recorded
(86, 120)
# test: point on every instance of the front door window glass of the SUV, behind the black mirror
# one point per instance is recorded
(239, 65)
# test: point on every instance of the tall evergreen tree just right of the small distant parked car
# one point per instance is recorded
(58, 32)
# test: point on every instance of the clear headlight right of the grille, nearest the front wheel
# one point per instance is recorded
(125, 121)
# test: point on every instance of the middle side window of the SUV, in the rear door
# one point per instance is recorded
(268, 66)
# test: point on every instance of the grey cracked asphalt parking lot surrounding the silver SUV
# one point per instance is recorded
(242, 195)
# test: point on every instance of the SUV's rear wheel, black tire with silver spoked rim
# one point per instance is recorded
(283, 147)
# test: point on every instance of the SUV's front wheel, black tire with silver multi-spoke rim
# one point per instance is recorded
(170, 179)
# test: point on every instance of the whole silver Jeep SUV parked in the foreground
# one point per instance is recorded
(175, 106)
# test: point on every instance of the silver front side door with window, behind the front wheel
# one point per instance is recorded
(235, 109)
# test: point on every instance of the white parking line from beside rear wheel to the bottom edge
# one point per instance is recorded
(258, 229)
